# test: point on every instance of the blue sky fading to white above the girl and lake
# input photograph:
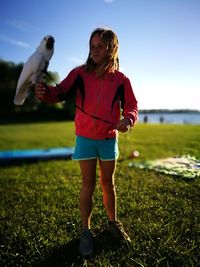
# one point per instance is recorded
(159, 41)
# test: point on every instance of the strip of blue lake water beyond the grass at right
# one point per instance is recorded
(171, 118)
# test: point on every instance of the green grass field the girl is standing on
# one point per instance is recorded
(39, 207)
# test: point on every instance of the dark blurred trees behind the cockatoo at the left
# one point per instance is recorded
(32, 108)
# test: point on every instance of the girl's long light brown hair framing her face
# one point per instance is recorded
(111, 62)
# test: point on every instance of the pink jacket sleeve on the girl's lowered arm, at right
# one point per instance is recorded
(130, 109)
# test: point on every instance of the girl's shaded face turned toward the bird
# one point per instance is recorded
(98, 49)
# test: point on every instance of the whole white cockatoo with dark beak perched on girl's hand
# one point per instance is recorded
(34, 68)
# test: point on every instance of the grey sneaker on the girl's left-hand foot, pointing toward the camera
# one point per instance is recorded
(86, 243)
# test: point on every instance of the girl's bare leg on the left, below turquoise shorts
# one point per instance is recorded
(88, 171)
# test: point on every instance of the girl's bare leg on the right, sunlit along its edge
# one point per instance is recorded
(107, 171)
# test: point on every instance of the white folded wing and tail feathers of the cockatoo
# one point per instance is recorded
(31, 72)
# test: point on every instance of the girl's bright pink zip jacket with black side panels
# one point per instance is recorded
(98, 101)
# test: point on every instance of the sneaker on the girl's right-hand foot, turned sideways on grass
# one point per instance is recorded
(116, 229)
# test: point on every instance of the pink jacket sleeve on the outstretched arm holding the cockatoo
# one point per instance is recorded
(61, 91)
